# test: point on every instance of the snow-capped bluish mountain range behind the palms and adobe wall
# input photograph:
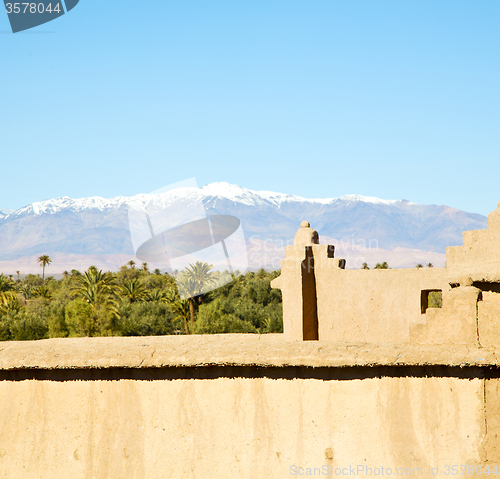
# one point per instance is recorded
(99, 226)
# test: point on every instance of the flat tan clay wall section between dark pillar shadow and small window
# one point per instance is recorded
(353, 304)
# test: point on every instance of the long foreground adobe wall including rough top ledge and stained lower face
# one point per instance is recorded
(243, 406)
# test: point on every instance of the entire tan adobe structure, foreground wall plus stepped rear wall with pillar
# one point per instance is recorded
(364, 379)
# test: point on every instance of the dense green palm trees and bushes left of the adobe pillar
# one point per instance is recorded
(136, 302)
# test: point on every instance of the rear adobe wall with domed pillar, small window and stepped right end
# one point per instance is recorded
(322, 300)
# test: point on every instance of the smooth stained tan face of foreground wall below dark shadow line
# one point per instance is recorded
(235, 427)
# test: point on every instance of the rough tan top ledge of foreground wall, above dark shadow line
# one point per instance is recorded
(229, 349)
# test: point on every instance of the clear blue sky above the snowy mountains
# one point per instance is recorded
(394, 99)
